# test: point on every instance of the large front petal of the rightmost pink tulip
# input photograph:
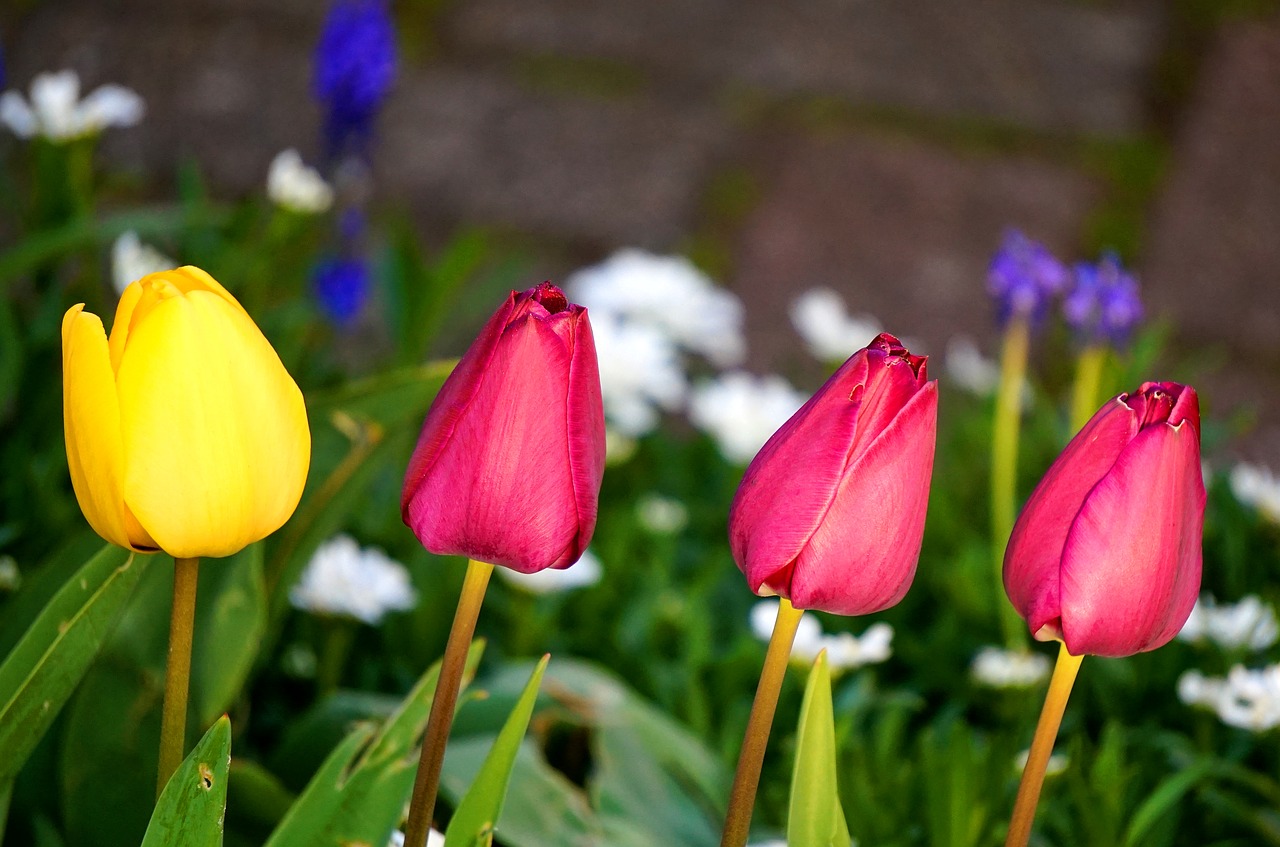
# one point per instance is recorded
(1132, 561)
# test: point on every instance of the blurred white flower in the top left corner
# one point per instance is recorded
(57, 112)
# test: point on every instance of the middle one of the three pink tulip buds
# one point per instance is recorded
(831, 511)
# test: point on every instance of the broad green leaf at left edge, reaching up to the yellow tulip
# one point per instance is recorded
(49, 662)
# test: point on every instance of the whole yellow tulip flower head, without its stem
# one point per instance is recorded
(185, 433)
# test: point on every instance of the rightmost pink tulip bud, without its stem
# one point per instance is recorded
(1107, 555)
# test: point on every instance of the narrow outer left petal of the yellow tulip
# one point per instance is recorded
(92, 418)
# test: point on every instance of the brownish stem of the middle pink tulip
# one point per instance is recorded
(747, 780)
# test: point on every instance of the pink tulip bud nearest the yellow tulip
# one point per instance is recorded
(509, 466)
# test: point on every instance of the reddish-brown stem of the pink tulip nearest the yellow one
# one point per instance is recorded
(428, 781)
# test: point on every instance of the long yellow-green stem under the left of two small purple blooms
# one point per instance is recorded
(1007, 428)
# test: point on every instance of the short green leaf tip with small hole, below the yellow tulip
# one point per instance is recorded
(191, 808)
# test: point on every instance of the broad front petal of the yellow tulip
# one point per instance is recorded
(216, 433)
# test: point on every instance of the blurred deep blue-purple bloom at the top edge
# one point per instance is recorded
(355, 67)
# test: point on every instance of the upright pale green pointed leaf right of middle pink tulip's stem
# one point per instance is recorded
(815, 818)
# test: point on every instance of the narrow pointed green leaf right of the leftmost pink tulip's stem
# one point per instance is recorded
(481, 809)
